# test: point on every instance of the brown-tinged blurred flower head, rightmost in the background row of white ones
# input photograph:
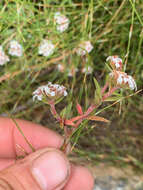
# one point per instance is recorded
(84, 48)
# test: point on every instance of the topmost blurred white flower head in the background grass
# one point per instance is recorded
(62, 22)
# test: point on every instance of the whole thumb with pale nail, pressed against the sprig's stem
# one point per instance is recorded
(45, 169)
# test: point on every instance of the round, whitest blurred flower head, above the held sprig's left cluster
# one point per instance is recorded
(46, 48)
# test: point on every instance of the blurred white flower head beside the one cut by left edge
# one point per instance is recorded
(15, 49)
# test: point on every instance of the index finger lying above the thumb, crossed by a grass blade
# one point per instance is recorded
(12, 143)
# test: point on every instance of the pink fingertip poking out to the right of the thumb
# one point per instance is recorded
(80, 179)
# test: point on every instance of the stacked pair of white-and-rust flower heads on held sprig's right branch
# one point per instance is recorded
(119, 78)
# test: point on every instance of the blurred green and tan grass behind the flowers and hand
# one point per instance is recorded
(114, 28)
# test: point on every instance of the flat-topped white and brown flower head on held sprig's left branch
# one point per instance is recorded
(49, 91)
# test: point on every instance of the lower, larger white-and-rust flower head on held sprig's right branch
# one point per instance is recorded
(122, 80)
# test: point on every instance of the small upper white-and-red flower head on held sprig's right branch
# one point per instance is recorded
(115, 62)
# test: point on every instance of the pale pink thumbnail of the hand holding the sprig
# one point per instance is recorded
(50, 170)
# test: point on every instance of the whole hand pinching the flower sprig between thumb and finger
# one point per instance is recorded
(46, 169)
